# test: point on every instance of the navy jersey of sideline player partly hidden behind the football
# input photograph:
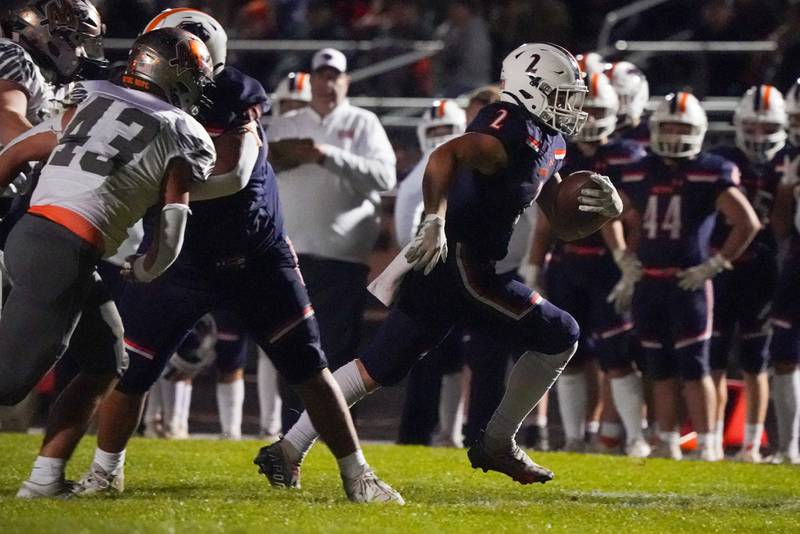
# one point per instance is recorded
(609, 159)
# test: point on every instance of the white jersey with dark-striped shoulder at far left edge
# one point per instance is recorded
(17, 66)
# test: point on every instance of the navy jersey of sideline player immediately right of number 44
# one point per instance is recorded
(759, 184)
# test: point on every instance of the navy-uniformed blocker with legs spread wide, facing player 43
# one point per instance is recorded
(236, 257)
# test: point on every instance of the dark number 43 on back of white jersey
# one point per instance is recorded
(77, 134)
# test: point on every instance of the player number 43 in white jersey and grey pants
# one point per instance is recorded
(121, 151)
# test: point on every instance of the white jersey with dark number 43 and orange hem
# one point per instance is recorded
(112, 157)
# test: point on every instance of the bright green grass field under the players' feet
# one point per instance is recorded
(212, 486)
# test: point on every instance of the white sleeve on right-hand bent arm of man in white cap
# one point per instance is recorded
(373, 168)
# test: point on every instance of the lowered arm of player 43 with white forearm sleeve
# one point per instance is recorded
(170, 227)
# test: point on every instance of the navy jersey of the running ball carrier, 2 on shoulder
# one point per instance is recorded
(482, 209)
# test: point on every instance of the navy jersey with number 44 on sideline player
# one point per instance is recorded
(677, 205)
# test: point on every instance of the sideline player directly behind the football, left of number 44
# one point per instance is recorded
(580, 276)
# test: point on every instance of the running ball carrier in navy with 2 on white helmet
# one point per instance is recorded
(480, 182)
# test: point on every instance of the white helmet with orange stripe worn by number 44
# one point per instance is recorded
(678, 108)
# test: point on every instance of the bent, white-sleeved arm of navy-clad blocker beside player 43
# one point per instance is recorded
(237, 154)
